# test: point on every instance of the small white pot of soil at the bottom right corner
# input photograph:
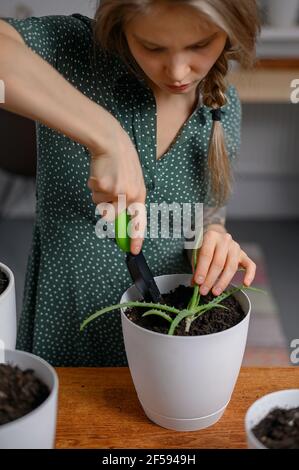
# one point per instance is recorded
(261, 407)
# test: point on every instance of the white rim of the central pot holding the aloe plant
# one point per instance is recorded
(192, 338)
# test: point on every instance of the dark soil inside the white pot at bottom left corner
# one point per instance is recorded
(20, 392)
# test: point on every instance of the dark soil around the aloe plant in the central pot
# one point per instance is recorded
(212, 321)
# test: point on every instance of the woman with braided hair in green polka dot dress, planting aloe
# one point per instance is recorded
(135, 102)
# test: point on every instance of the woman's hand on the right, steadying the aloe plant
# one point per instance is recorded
(218, 260)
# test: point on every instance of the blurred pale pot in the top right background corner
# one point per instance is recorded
(282, 13)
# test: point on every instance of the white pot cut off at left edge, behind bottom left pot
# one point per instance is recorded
(8, 316)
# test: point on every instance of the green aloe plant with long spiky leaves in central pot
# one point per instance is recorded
(189, 314)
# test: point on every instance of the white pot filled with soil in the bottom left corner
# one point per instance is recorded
(36, 430)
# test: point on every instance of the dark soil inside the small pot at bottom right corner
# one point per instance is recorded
(279, 429)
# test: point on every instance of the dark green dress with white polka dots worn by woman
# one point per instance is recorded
(72, 272)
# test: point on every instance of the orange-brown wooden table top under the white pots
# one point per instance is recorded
(99, 408)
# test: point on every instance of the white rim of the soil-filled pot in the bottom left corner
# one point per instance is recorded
(54, 376)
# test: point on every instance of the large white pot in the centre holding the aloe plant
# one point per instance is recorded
(184, 383)
